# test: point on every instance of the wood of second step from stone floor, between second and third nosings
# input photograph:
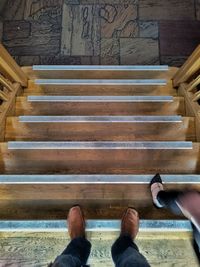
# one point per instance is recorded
(100, 89)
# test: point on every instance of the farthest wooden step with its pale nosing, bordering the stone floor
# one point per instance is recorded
(100, 72)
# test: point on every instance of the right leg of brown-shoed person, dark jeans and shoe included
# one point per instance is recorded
(125, 252)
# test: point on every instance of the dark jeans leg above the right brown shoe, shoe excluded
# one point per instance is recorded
(125, 253)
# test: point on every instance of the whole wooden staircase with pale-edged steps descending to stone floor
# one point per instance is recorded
(94, 135)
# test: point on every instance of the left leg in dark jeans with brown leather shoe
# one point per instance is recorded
(77, 252)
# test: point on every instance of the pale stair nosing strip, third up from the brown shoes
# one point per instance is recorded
(105, 145)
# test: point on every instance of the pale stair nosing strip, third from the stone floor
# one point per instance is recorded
(122, 99)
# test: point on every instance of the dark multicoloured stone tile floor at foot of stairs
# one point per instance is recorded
(101, 31)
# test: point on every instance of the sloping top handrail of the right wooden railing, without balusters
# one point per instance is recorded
(191, 66)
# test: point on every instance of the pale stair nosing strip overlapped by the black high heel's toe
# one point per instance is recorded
(114, 179)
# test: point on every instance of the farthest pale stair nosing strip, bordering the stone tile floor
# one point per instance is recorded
(101, 67)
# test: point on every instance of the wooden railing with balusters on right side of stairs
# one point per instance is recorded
(187, 80)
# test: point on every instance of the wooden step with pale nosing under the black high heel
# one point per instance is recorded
(49, 196)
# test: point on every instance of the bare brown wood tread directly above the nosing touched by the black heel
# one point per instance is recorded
(93, 161)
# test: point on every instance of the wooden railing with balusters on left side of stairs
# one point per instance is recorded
(12, 80)
